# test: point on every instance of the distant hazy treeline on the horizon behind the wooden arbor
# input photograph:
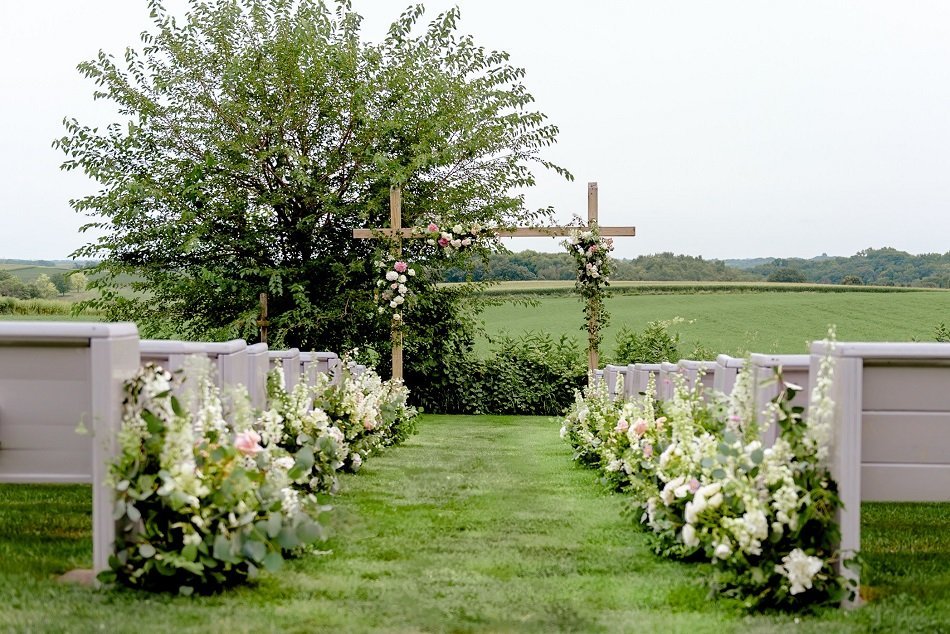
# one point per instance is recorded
(883, 267)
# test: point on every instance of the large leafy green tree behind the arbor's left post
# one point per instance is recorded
(255, 135)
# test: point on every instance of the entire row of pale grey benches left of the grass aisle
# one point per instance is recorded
(56, 378)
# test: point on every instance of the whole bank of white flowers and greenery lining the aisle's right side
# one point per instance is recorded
(705, 486)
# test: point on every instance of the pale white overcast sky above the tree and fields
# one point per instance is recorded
(722, 129)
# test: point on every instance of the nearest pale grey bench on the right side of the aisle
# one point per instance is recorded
(891, 437)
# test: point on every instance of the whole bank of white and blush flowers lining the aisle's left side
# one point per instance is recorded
(205, 500)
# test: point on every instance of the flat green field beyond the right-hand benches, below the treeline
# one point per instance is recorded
(740, 322)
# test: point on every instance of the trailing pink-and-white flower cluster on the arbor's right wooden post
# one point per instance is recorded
(591, 253)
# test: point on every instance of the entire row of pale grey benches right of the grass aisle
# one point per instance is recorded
(891, 438)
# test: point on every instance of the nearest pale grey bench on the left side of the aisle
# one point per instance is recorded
(55, 376)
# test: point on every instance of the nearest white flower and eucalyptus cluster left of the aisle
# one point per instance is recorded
(200, 503)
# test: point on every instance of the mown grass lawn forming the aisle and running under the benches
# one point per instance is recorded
(477, 524)
